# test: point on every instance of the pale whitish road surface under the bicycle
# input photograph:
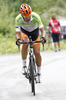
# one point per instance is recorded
(14, 86)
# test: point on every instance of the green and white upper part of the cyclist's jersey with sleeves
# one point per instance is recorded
(34, 23)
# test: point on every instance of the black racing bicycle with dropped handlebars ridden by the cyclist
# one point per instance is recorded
(31, 70)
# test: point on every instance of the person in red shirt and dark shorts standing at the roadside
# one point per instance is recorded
(54, 25)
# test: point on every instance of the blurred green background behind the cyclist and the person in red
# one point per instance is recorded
(9, 9)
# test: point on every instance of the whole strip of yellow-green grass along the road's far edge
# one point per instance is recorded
(8, 46)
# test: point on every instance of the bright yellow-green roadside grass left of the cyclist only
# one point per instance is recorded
(8, 46)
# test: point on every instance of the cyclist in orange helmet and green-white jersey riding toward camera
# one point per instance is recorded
(28, 23)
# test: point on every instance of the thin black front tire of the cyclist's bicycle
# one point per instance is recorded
(32, 76)
